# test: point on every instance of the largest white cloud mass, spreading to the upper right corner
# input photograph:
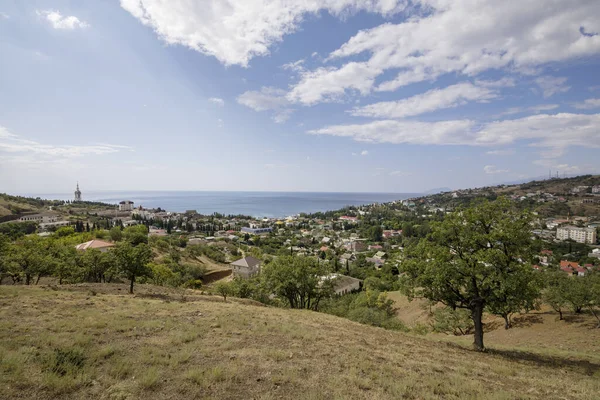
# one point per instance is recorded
(516, 36)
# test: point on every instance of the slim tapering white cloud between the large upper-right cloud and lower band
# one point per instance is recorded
(435, 99)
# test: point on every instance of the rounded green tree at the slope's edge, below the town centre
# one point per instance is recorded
(298, 280)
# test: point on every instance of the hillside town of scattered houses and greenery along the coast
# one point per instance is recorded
(356, 242)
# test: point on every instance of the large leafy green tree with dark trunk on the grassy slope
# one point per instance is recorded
(476, 258)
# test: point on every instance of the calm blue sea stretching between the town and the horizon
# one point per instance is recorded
(255, 204)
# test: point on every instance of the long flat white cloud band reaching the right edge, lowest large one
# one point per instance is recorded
(543, 130)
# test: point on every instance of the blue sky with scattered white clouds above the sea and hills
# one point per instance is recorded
(290, 95)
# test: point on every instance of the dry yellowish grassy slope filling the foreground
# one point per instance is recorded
(97, 342)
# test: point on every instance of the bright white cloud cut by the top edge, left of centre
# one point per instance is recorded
(235, 31)
